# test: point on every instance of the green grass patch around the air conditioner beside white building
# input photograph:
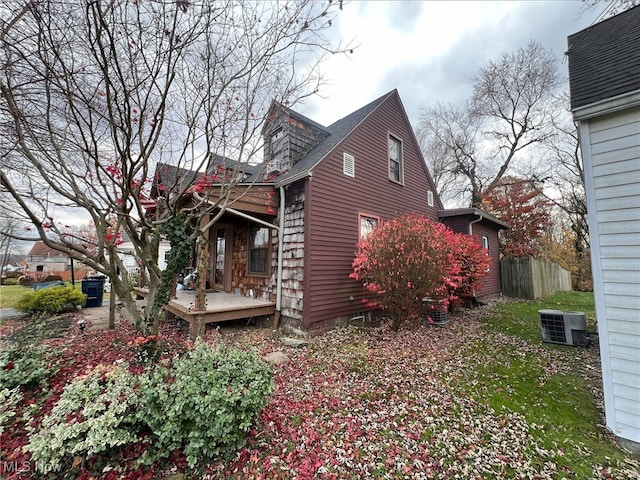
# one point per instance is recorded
(548, 384)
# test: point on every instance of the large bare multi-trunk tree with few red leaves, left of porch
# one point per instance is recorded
(96, 93)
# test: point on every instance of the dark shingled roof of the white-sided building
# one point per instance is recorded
(604, 59)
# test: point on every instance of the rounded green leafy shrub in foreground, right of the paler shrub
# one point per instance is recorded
(205, 404)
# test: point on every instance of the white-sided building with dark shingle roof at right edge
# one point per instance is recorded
(604, 77)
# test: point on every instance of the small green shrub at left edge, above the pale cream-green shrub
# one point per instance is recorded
(24, 366)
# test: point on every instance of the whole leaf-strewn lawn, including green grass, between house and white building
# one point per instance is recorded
(481, 397)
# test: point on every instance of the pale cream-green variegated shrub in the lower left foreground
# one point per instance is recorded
(94, 414)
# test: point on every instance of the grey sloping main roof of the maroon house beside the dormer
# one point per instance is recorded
(338, 131)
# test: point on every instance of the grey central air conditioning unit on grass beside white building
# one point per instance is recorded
(565, 328)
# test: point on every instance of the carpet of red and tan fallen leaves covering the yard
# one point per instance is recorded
(360, 404)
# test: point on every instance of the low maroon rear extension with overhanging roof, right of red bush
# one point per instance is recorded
(485, 228)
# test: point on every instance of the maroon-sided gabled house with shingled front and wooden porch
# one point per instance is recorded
(288, 239)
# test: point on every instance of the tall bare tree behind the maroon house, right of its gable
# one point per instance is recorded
(509, 112)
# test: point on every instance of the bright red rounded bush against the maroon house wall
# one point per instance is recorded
(410, 258)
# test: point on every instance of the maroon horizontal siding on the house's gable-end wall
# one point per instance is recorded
(335, 200)
